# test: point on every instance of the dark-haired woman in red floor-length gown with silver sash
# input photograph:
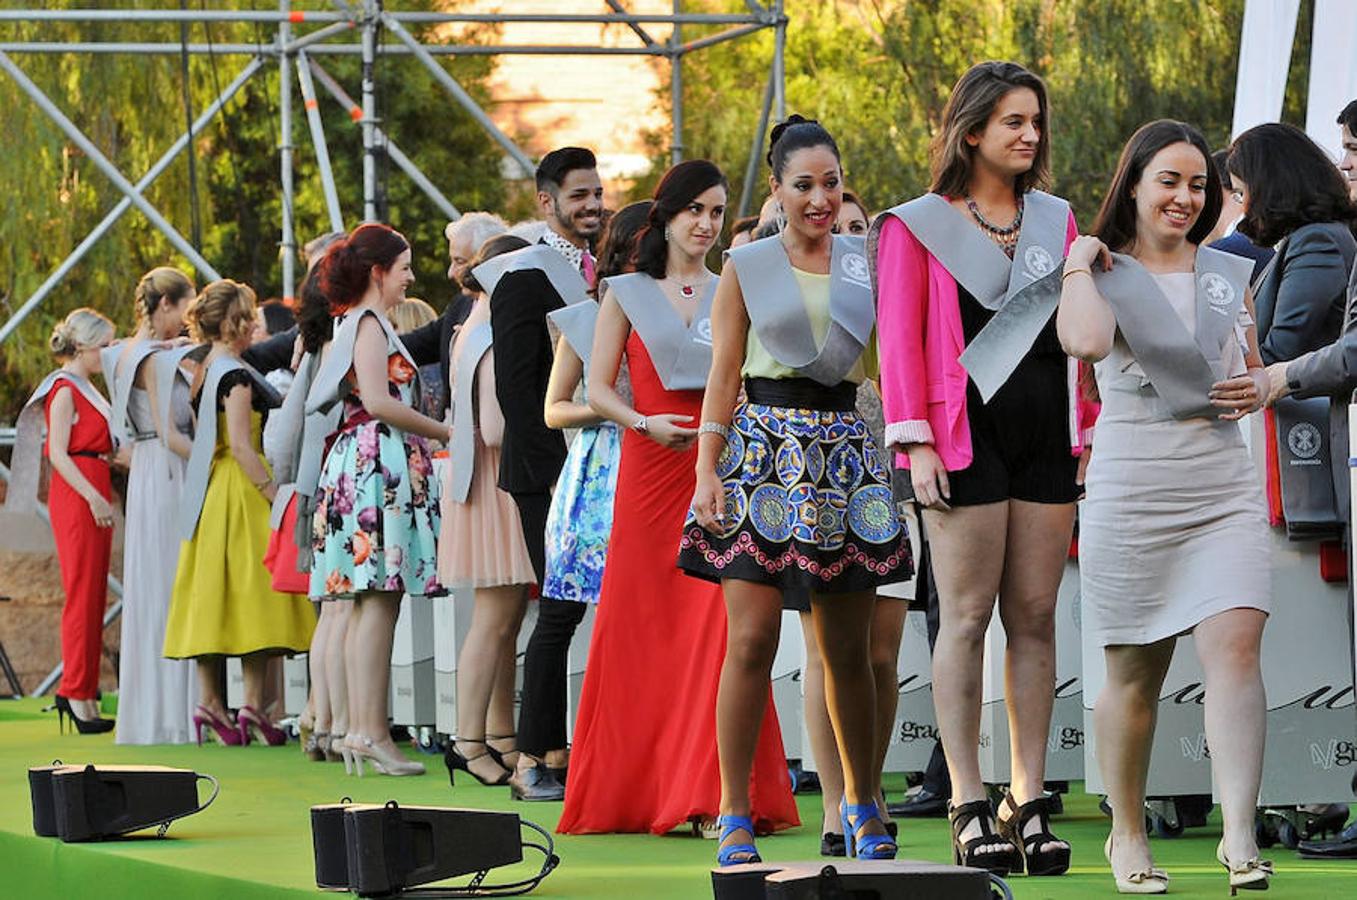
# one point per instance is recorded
(645, 755)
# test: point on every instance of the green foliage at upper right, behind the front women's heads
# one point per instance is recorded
(879, 73)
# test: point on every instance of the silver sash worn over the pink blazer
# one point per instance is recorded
(1024, 291)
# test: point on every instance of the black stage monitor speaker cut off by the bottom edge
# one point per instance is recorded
(852, 880)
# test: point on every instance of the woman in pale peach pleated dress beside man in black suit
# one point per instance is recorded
(481, 545)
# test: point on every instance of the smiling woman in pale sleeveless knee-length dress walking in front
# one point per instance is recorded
(1173, 533)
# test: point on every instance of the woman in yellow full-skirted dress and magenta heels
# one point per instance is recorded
(223, 603)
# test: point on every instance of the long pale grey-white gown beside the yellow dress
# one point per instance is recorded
(157, 697)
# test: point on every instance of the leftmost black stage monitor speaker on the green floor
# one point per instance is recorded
(94, 803)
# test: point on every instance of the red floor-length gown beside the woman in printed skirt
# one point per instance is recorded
(645, 745)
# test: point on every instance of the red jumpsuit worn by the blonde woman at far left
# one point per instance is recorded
(83, 548)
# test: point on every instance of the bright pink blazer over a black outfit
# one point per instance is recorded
(923, 385)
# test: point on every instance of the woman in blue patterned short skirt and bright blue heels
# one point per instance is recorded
(792, 492)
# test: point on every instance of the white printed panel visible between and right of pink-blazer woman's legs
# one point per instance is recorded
(1066, 740)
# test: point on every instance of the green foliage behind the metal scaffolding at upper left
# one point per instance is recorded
(132, 108)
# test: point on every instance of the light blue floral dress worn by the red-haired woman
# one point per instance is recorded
(378, 503)
